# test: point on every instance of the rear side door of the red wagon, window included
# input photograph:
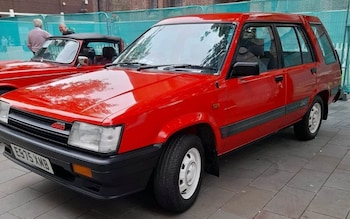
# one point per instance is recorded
(300, 69)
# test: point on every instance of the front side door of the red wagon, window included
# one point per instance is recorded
(255, 103)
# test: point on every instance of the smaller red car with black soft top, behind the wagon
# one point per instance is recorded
(60, 56)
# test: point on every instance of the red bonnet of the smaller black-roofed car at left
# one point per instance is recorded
(17, 65)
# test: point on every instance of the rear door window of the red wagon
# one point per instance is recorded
(295, 47)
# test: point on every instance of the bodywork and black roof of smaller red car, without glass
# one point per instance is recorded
(19, 73)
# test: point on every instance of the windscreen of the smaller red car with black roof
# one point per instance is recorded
(57, 50)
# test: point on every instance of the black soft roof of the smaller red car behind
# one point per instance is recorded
(93, 37)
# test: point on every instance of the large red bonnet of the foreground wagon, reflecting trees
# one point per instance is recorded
(97, 95)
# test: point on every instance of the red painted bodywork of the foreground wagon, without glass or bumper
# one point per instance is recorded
(152, 107)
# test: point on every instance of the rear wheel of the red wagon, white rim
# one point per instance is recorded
(309, 126)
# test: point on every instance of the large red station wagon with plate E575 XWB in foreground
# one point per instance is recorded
(188, 90)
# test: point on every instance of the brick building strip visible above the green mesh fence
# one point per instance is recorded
(83, 6)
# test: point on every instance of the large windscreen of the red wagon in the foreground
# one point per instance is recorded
(195, 48)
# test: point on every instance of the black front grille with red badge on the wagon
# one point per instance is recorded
(38, 126)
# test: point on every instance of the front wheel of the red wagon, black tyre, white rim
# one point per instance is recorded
(179, 173)
